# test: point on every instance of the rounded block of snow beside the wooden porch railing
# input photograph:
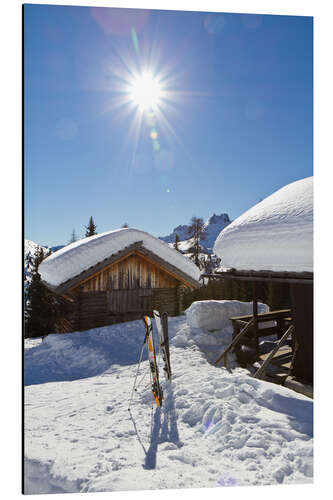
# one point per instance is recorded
(215, 314)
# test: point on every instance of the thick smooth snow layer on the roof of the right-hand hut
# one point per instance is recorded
(276, 234)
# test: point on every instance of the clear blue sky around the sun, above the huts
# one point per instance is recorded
(234, 126)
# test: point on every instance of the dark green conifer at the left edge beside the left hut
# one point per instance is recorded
(41, 307)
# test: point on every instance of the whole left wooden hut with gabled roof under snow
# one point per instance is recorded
(117, 276)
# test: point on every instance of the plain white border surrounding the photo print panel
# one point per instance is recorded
(10, 200)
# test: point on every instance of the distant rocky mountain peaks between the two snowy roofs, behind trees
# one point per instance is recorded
(213, 227)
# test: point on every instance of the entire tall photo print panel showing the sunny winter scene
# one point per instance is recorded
(168, 202)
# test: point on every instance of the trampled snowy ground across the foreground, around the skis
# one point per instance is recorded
(215, 428)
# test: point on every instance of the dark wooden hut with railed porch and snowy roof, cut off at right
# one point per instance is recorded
(273, 242)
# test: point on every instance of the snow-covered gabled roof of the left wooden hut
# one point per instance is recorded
(81, 255)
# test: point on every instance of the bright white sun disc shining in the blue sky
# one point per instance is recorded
(145, 92)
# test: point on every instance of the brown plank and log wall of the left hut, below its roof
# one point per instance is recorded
(123, 291)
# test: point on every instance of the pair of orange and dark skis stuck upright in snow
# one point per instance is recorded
(161, 322)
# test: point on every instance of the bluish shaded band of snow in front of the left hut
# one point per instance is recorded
(85, 354)
